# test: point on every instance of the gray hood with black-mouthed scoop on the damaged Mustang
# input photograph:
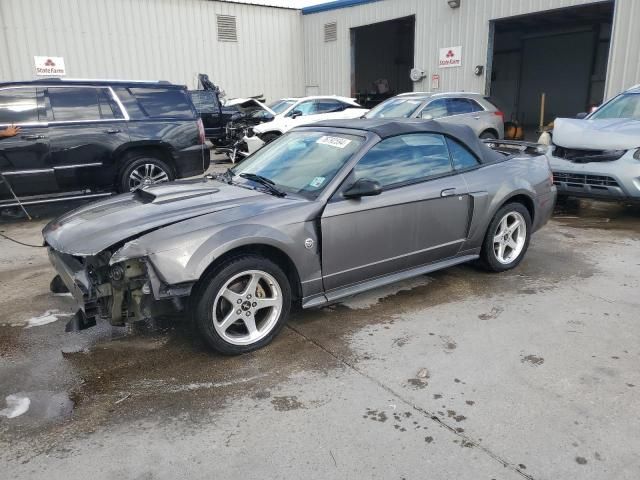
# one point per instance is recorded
(93, 228)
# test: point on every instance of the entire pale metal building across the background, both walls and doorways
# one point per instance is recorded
(576, 51)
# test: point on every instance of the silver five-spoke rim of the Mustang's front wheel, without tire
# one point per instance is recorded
(247, 307)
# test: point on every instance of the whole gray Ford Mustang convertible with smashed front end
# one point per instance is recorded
(322, 213)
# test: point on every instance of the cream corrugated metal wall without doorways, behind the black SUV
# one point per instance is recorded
(246, 49)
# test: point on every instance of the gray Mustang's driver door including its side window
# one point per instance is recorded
(421, 216)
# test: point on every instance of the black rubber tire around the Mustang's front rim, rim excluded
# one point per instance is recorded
(207, 292)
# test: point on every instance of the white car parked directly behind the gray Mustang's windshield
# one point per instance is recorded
(292, 112)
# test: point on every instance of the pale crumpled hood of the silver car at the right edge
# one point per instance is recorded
(606, 134)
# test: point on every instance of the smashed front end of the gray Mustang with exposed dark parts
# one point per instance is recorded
(123, 292)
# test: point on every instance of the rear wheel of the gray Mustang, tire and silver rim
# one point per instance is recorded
(507, 238)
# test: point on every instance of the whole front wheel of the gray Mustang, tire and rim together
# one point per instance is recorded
(242, 305)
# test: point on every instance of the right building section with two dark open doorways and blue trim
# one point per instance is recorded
(576, 51)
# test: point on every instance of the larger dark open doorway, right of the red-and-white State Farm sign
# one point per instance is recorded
(562, 53)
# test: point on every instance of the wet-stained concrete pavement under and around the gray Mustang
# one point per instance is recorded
(458, 374)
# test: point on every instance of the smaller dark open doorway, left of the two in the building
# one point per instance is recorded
(381, 59)
